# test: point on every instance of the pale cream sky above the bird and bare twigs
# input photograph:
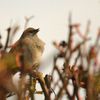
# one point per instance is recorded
(51, 16)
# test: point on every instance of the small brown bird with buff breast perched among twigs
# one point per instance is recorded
(30, 46)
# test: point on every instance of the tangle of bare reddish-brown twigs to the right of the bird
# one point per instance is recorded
(81, 65)
